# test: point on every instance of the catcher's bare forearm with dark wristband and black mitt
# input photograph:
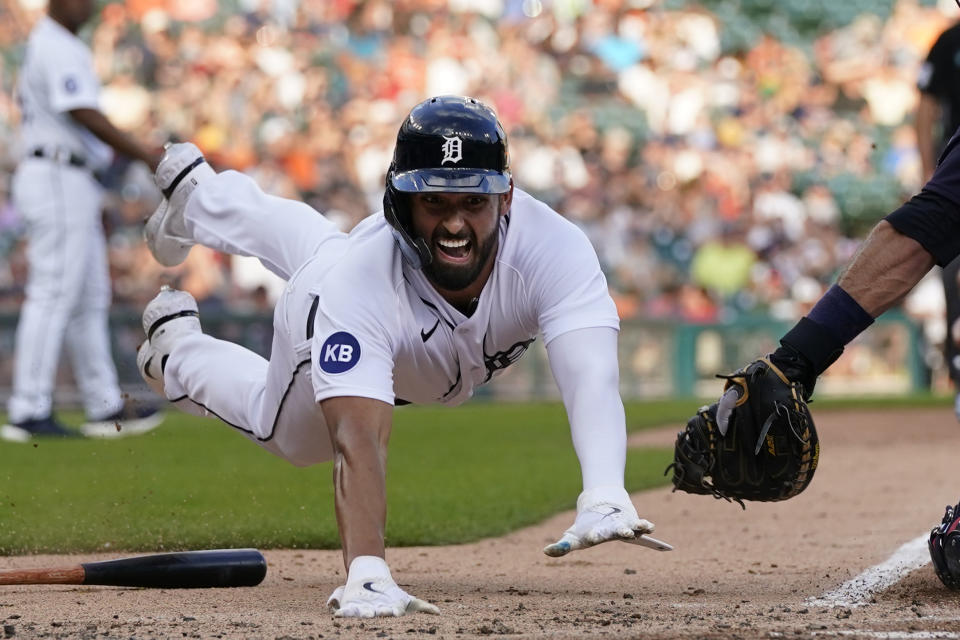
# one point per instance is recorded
(758, 442)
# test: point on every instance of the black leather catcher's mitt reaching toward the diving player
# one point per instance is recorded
(757, 443)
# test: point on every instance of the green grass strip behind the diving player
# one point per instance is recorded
(454, 475)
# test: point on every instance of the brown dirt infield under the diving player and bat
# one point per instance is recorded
(883, 481)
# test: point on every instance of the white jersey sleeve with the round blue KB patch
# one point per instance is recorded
(352, 349)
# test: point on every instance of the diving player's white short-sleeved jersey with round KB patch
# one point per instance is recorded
(383, 332)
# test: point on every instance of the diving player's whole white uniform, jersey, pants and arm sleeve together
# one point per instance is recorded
(380, 330)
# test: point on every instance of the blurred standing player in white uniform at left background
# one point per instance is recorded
(64, 138)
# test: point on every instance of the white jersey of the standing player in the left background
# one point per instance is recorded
(57, 76)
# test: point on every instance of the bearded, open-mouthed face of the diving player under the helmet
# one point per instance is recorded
(462, 231)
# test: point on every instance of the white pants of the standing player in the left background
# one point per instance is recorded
(67, 294)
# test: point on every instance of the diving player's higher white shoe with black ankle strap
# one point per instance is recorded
(181, 169)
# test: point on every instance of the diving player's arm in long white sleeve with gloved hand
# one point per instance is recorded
(584, 364)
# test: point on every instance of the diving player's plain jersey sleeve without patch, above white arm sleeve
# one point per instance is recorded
(568, 289)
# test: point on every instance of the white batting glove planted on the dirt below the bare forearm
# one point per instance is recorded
(370, 592)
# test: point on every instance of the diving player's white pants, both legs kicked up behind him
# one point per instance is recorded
(271, 402)
